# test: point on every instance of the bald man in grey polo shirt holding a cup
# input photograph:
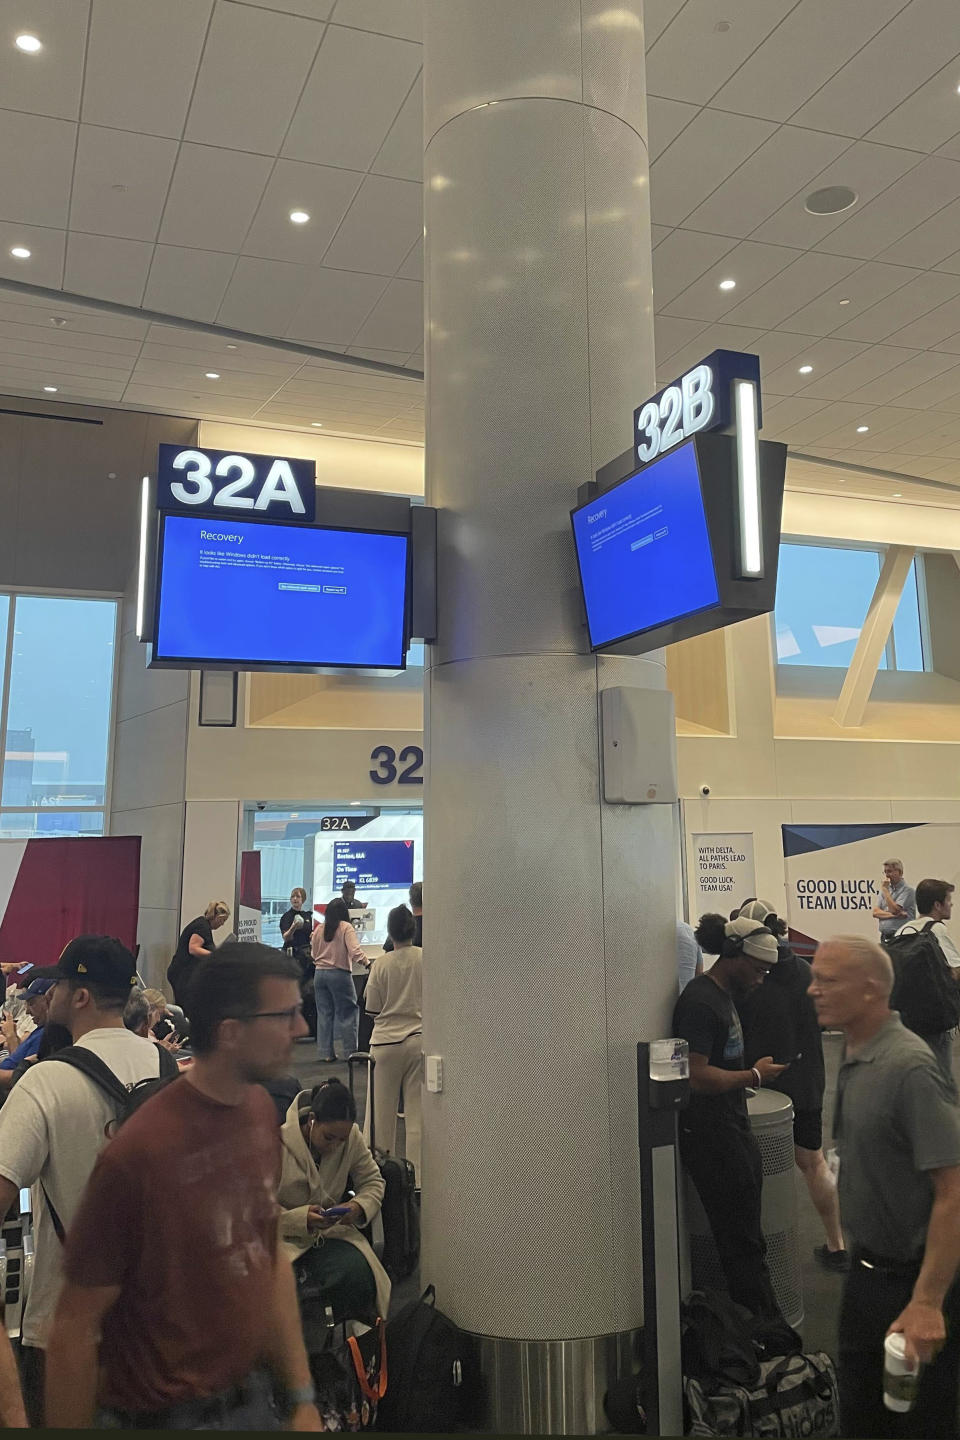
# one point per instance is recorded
(899, 1137)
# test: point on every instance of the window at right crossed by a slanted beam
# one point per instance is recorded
(824, 594)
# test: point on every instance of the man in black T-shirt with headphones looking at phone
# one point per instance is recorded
(716, 1143)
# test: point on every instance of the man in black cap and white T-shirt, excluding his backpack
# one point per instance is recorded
(54, 1121)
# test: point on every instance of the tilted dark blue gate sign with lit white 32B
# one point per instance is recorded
(699, 401)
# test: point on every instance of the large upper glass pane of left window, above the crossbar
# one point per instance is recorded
(61, 693)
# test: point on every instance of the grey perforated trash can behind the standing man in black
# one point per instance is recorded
(772, 1122)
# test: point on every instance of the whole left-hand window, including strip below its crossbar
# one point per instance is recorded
(57, 699)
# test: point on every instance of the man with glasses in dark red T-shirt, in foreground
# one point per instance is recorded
(175, 1288)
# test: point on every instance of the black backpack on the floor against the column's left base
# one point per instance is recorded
(430, 1366)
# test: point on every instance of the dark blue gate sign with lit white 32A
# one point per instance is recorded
(264, 487)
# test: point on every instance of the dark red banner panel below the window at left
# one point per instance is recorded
(53, 891)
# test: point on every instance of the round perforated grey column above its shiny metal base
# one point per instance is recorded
(551, 918)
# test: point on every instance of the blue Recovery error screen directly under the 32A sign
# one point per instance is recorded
(280, 595)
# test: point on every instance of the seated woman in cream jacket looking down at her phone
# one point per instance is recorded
(325, 1156)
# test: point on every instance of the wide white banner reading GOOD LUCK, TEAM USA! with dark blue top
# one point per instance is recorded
(834, 873)
